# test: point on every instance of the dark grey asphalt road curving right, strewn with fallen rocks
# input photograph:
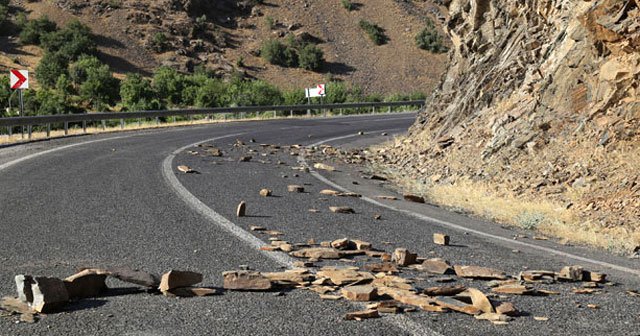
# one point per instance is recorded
(119, 201)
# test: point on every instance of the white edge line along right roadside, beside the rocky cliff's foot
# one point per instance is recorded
(317, 175)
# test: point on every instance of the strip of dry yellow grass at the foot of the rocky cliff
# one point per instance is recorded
(543, 216)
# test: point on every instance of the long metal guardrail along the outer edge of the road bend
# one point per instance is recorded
(65, 119)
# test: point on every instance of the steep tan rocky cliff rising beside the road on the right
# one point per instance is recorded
(540, 105)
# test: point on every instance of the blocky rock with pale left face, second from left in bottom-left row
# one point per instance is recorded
(49, 294)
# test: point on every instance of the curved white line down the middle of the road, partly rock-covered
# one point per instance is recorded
(193, 202)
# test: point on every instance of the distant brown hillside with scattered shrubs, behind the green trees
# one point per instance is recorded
(226, 36)
